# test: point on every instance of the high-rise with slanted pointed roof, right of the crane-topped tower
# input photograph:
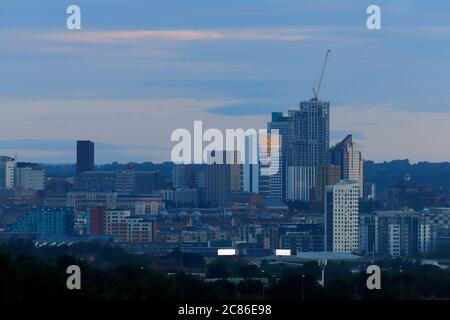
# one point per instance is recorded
(346, 155)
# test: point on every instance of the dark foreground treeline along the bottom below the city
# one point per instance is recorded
(110, 273)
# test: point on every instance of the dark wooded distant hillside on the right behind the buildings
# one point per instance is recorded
(435, 175)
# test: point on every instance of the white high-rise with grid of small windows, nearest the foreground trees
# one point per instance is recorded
(342, 217)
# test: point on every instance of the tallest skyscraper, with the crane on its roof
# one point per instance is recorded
(310, 139)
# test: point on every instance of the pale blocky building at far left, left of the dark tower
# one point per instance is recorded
(29, 176)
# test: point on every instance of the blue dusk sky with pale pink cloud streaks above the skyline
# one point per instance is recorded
(139, 69)
